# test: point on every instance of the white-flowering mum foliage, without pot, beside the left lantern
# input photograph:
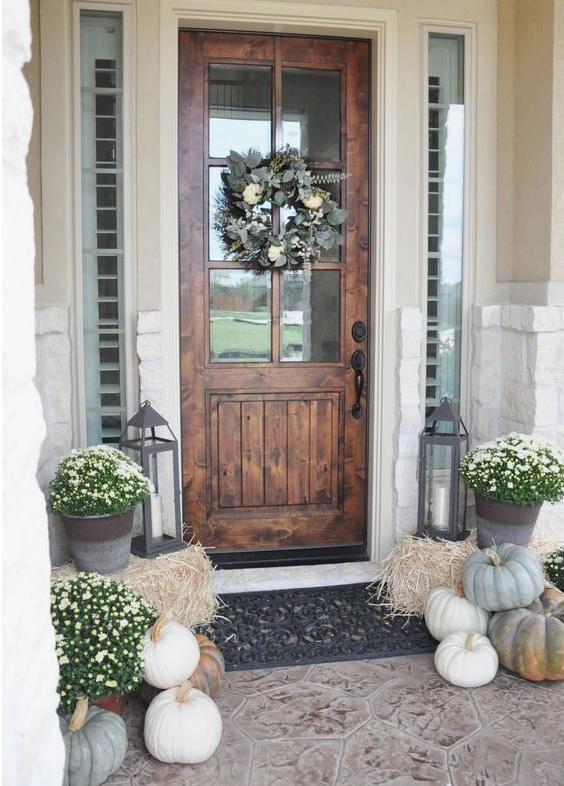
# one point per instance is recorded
(97, 481)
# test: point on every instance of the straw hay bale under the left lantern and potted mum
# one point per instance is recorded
(181, 583)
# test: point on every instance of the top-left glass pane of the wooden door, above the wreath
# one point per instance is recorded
(240, 105)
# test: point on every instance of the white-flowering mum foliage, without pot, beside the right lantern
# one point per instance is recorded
(515, 468)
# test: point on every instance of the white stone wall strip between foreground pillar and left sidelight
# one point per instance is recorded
(53, 380)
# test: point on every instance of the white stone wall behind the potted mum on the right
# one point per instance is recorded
(518, 381)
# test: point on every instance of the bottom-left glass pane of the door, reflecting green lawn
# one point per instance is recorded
(240, 317)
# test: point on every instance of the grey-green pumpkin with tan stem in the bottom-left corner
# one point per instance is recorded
(95, 744)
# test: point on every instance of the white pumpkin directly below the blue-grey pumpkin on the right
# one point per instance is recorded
(447, 612)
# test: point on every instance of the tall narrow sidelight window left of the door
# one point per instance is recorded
(101, 157)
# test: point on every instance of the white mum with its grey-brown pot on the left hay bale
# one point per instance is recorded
(95, 491)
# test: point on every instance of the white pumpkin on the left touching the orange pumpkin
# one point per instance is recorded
(170, 654)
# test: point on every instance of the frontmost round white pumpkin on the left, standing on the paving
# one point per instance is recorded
(182, 726)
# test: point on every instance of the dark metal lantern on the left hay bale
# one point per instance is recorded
(158, 456)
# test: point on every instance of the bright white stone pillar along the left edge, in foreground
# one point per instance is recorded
(32, 745)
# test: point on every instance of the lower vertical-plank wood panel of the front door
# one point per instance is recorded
(281, 452)
